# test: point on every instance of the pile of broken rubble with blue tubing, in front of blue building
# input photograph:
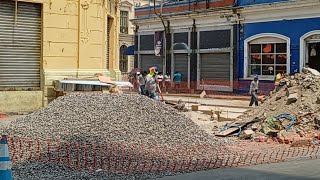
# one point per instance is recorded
(289, 113)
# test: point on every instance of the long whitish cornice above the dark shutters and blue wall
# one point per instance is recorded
(249, 14)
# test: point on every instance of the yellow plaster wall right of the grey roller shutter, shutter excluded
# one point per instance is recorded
(74, 41)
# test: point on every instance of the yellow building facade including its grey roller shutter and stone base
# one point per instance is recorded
(46, 40)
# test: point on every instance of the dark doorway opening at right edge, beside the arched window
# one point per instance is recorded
(314, 55)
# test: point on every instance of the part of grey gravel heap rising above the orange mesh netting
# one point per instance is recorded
(101, 118)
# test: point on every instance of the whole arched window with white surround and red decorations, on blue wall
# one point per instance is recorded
(267, 55)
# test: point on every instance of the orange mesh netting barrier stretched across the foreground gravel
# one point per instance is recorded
(134, 158)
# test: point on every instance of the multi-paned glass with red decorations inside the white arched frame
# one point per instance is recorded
(267, 59)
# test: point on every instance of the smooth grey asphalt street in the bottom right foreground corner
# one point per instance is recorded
(293, 170)
